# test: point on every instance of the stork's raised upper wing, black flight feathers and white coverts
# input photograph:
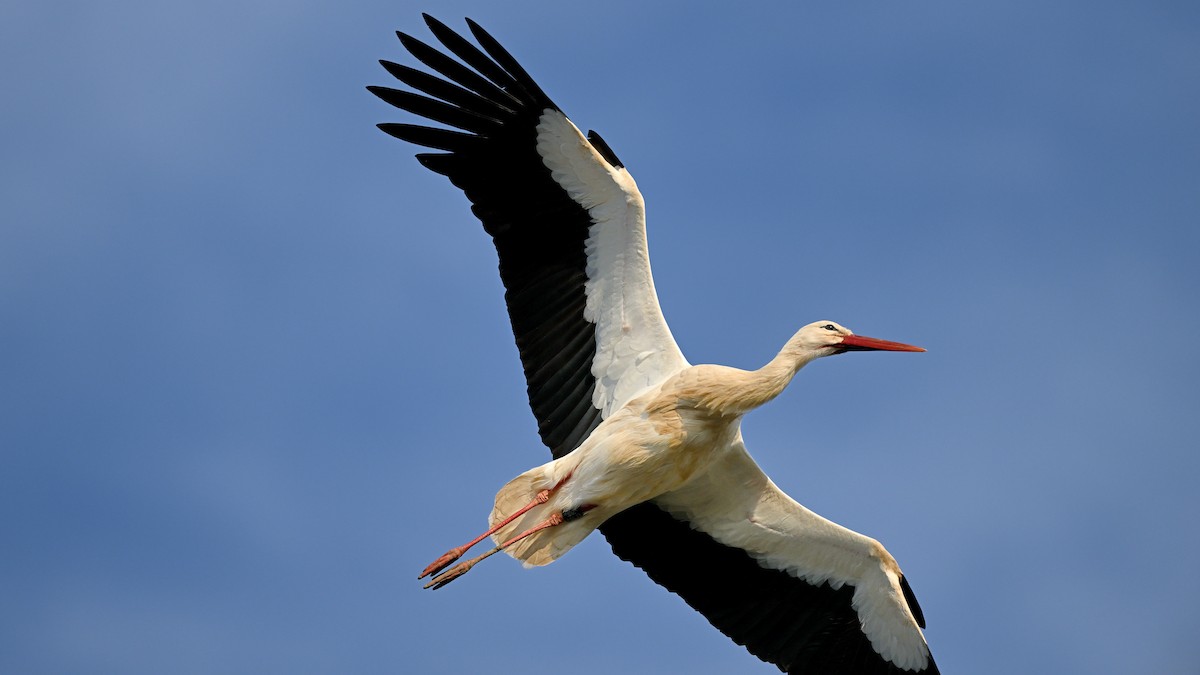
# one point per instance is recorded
(568, 223)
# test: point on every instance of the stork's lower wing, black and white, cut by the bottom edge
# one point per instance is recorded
(795, 589)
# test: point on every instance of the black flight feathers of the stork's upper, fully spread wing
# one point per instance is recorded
(538, 230)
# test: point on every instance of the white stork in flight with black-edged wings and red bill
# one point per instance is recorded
(647, 449)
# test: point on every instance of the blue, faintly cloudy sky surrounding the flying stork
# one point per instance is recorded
(256, 372)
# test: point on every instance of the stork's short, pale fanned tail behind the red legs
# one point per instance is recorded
(549, 545)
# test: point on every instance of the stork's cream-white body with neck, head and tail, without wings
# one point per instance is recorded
(656, 444)
